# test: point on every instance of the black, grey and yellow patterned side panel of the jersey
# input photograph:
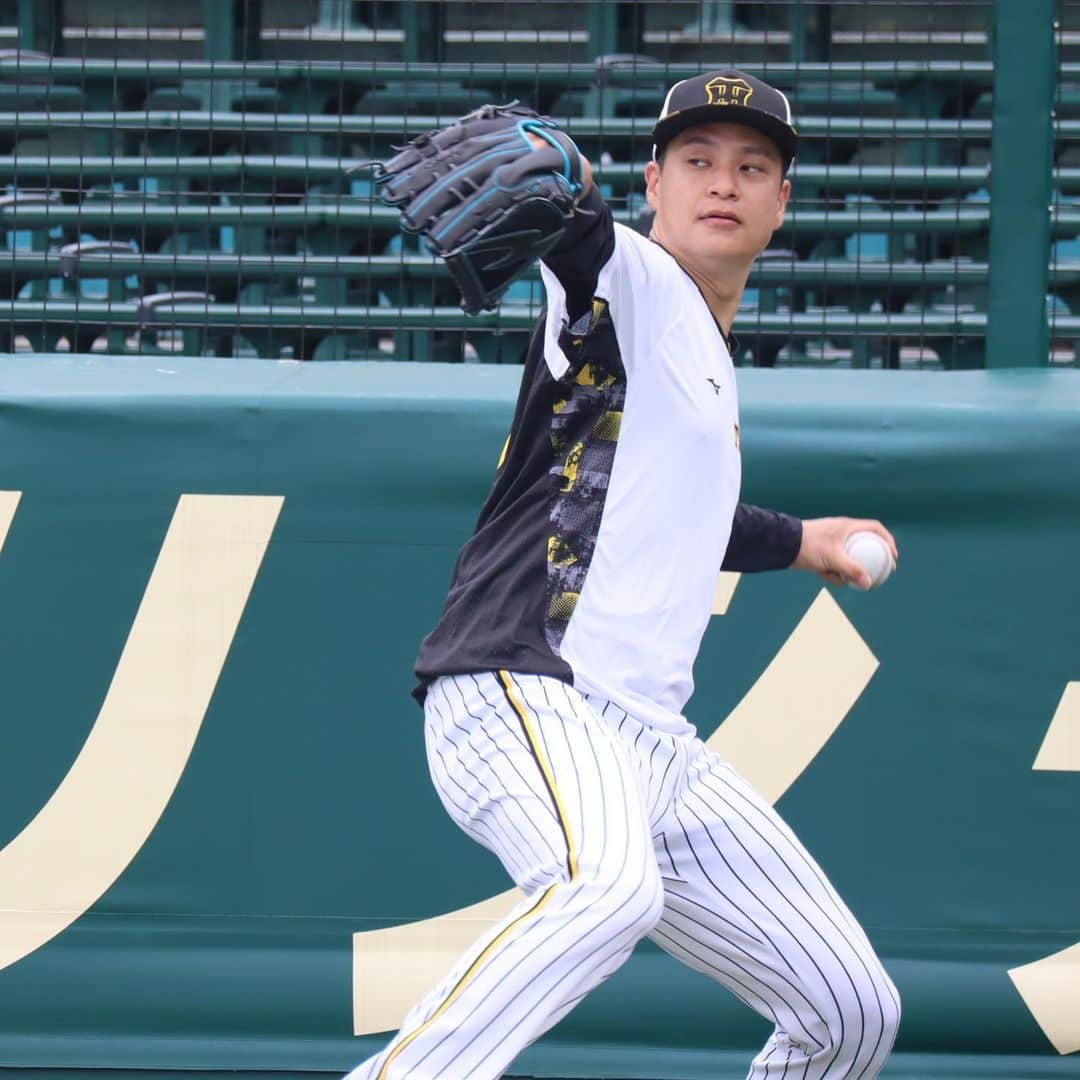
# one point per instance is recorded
(585, 434)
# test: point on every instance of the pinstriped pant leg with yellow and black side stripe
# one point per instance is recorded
(528, 768)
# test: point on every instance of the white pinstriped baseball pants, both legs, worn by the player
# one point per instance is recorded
(616, 832)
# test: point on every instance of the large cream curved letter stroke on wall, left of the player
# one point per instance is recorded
(112, 799)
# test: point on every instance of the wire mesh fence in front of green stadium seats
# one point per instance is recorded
(181, 178)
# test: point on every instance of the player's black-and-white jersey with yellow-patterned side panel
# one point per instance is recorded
(597, 556)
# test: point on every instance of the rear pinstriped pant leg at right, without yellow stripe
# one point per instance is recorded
(747, 904)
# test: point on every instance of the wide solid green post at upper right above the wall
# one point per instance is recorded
(1025, 79)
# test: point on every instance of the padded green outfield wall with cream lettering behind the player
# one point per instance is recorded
(219, 845)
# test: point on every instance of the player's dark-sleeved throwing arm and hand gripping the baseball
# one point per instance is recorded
(768, 541)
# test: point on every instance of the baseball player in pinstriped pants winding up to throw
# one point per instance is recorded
(555, 684)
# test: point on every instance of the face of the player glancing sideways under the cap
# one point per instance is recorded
(720, 196)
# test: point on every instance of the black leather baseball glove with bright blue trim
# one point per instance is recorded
(484, 197)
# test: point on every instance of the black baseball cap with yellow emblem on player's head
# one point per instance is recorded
(730, 96)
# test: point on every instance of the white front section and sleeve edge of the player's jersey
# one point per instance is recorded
(647, 597)
